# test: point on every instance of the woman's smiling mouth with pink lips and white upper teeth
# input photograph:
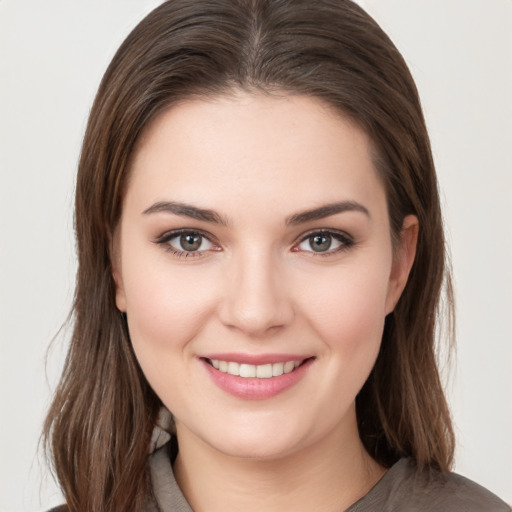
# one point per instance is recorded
(249, 379)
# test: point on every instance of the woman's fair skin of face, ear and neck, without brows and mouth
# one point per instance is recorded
(256, 286)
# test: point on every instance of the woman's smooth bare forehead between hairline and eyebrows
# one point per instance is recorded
(232, 150)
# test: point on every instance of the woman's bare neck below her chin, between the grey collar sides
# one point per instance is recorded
(329, 475)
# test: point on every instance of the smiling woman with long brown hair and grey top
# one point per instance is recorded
(261, 253)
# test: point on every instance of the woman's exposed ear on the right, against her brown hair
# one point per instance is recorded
(403, 258)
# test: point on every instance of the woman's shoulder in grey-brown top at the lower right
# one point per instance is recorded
(405, 489)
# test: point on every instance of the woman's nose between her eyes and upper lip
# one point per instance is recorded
(255, 299)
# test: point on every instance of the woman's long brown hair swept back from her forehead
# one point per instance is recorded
(99, 426)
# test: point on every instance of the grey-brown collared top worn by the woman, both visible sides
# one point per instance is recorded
(401, 489)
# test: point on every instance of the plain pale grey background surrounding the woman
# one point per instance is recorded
(52, 56)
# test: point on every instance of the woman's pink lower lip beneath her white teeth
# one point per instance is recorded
(254, 388)
